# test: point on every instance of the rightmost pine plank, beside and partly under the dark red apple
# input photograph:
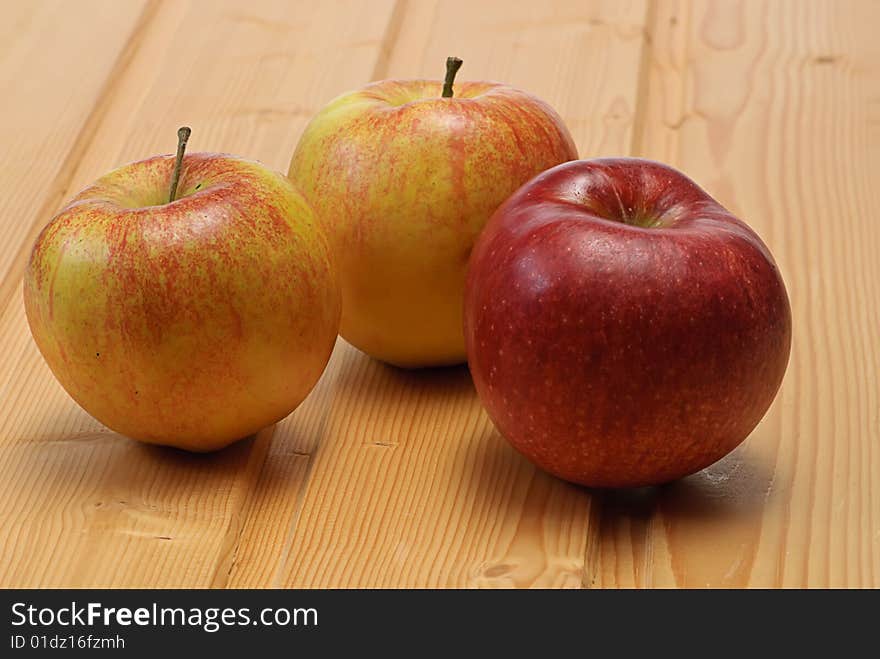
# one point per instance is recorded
(774, 108)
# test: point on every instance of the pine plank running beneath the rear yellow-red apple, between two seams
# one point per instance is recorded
(409, 484)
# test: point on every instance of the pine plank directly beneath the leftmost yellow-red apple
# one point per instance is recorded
(79, 505)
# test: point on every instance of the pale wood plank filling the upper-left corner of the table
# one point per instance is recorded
(49, 115)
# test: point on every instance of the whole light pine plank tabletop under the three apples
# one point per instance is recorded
(392, 478)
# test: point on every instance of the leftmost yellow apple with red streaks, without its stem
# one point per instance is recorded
(191, 324)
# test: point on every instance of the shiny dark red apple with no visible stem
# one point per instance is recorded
(623, 328)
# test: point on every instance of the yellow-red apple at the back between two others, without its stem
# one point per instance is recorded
(407, 180)
